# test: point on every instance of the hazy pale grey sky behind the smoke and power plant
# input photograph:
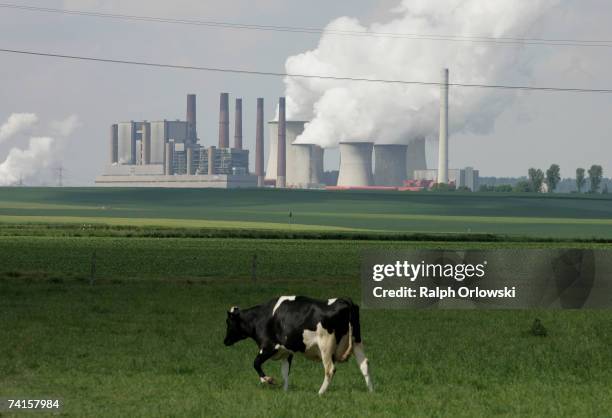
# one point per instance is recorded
(535, 129)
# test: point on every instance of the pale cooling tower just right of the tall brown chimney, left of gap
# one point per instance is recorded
(307, 165)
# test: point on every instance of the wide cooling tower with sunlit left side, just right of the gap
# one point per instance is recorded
(355, 164)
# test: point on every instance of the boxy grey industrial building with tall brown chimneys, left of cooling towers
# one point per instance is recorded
(168, 154)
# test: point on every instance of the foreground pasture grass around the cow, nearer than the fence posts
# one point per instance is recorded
(154, 348)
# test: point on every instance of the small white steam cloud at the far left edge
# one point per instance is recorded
(41, 152)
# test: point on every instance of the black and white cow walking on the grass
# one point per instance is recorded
(328, 331)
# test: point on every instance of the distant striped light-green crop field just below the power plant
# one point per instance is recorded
(557, 216)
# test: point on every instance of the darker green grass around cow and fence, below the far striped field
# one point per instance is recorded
(146, 338)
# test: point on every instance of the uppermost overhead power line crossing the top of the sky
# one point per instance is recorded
(320, 31)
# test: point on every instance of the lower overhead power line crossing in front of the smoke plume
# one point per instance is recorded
(294, 75)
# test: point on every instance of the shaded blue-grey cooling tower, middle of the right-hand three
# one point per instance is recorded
(389, 165)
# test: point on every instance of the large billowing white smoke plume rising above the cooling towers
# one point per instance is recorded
(398, 113)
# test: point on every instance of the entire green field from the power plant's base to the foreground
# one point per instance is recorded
(146, 338)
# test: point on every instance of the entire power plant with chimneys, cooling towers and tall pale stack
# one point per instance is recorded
(168, 153)
